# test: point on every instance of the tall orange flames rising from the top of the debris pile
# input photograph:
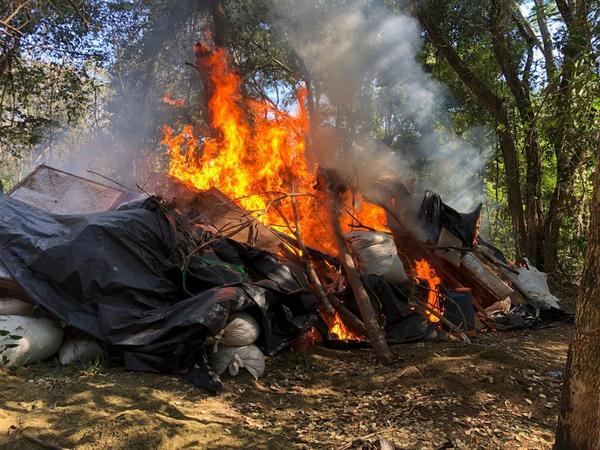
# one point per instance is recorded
(256, 155)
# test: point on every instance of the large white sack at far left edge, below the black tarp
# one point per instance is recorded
(27, 340)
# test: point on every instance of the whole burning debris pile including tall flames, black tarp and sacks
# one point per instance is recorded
(247, 252)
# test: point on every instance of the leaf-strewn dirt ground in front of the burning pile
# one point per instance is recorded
(495, 393)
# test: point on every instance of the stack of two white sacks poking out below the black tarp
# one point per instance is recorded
(235, 347)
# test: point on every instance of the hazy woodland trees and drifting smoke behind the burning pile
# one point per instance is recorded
(85, 81)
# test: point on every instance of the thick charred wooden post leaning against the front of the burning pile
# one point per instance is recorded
(374, 332)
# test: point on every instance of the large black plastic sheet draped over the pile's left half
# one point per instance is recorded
(118, 276)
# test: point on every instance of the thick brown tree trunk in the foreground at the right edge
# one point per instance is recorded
(579, 420)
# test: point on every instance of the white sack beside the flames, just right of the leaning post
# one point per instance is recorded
(376, 253)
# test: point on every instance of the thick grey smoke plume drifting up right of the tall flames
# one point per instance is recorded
(365, 56)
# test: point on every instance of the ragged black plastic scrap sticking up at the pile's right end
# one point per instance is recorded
(435, 214)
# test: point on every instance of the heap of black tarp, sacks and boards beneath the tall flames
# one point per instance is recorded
(156, 287)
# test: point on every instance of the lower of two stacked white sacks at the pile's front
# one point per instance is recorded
(248, 357)
